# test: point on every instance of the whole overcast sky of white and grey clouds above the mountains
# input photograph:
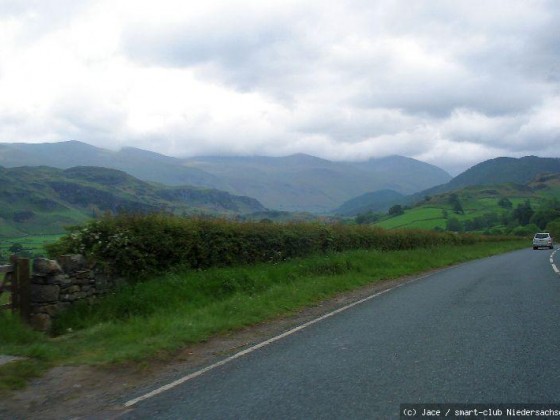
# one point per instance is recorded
(451, 83)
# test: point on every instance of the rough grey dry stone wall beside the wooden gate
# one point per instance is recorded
(58, 284)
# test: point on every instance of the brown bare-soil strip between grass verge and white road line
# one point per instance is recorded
(74, 392)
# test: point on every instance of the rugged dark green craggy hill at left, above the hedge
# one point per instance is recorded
(43, 200)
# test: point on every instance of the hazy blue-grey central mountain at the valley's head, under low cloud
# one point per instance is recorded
(303, 182)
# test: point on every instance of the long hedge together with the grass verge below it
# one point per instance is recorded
(169, 302)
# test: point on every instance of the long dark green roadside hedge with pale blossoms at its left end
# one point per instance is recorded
(132, 245)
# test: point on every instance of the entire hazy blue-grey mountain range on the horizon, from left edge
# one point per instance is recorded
(293, 183)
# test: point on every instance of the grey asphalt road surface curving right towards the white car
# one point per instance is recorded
(482, 332)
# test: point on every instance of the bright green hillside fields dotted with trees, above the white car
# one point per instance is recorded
(481, 208)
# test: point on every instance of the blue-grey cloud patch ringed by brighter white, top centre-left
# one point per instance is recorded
(242, 52)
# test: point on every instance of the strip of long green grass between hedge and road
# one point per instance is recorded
(159, 316)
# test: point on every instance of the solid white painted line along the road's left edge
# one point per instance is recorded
(258, 346)
